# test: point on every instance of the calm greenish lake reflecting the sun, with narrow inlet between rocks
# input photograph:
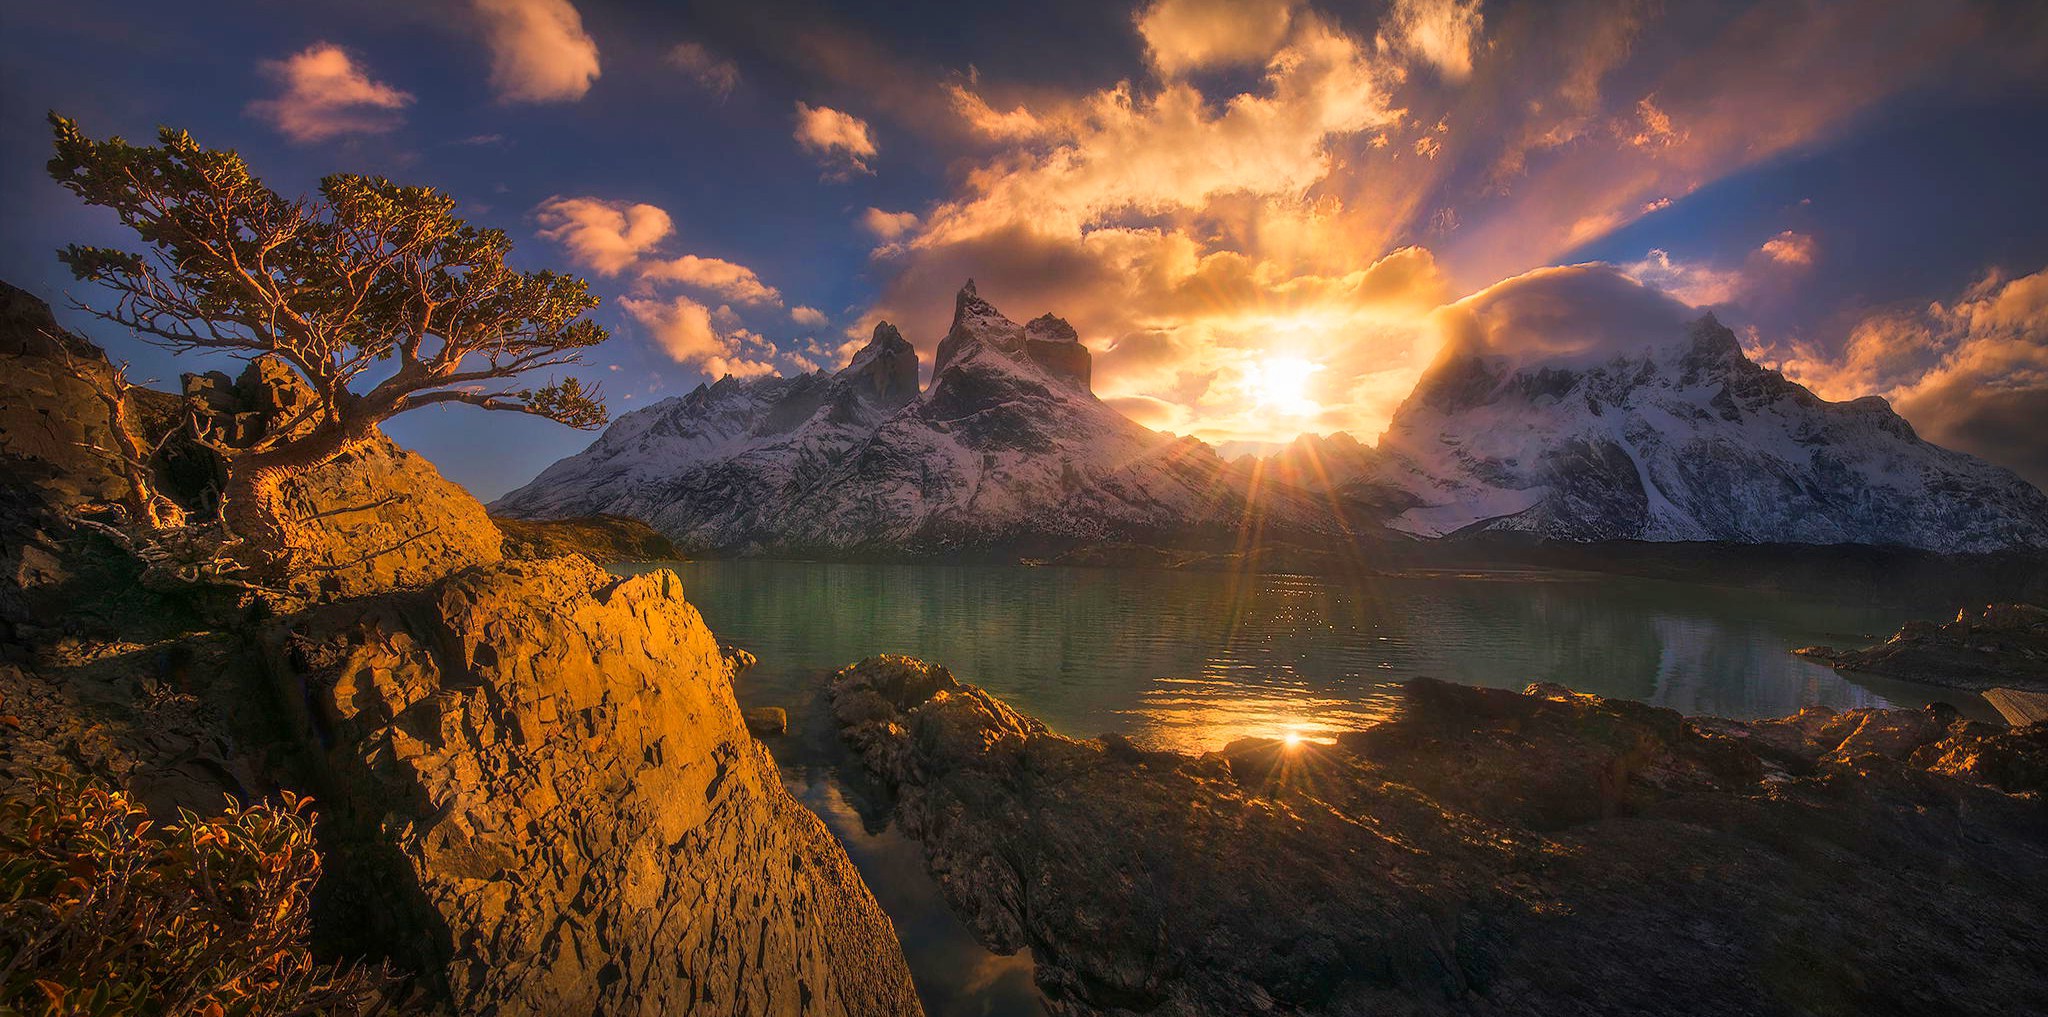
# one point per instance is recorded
(1197, 660)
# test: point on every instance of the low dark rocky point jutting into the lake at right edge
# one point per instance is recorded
(2002, 646)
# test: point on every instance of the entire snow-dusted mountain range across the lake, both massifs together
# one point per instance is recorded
(1676, 437)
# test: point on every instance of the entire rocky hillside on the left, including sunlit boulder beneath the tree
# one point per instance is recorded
(536, 787)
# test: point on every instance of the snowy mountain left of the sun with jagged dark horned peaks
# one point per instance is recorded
(1007, 451)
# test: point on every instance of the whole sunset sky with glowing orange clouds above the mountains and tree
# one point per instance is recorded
(1254, 212)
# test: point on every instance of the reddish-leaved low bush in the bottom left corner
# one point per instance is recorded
(110, 914)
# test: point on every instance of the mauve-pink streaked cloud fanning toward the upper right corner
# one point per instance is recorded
(1605, 136)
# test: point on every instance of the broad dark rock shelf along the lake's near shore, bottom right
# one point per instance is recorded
(1484, 852)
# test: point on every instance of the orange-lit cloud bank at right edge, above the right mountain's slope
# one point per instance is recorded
(1969, 375)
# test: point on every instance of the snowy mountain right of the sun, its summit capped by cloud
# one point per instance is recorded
(1666, 431)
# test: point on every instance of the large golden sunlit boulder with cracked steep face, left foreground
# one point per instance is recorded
(548, 775)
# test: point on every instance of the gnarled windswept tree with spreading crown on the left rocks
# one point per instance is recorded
(372, 288)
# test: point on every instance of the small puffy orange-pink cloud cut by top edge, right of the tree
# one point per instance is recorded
(540, 50)
